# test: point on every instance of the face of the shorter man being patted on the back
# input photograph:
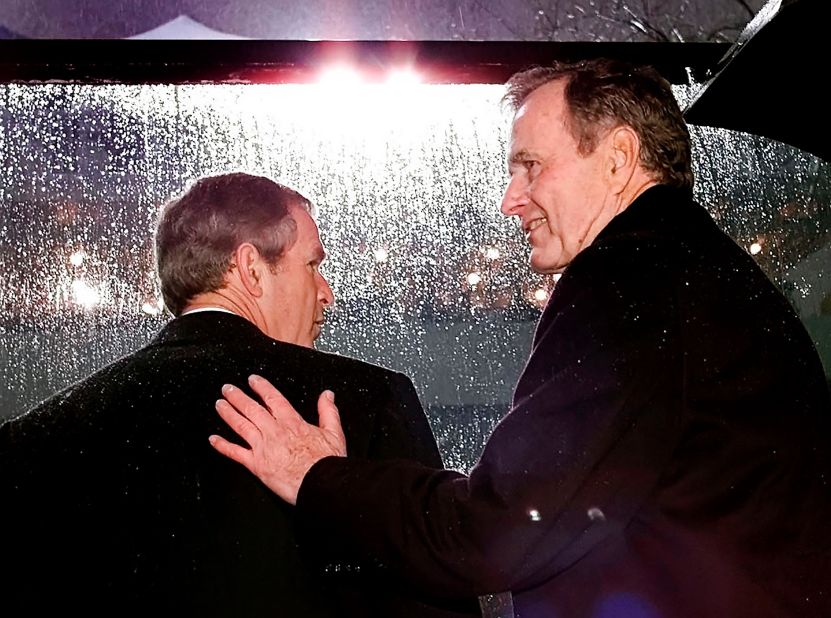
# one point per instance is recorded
(297, 293)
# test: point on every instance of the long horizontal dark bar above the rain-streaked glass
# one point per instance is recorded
(128, 61)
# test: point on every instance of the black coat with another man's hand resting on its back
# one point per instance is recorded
(114, 502)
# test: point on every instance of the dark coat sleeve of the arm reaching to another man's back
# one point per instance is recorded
(593, 422)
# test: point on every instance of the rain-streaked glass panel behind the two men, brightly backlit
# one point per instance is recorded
(428, 276)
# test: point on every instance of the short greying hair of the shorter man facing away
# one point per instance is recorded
(198, 231)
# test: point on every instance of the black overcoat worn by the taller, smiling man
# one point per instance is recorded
(666, 455)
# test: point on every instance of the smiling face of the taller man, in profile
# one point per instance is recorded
(561, 198)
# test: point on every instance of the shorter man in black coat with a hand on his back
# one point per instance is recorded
(112, 501)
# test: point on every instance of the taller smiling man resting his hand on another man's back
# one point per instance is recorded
(667, 450)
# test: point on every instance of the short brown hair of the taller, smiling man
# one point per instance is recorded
(601, 94)
